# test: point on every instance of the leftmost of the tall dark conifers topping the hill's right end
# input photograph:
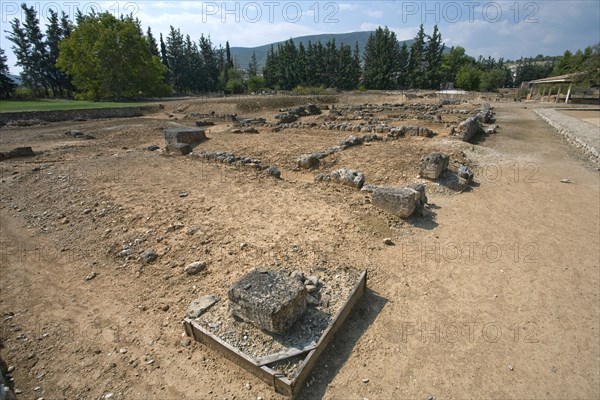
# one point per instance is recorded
(382, 52)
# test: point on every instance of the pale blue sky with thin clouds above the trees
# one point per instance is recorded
(508, 29)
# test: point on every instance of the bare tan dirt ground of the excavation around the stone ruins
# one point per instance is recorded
(494, 296)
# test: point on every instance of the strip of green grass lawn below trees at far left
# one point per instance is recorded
(46, 105)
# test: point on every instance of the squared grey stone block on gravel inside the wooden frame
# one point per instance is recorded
(270, 300)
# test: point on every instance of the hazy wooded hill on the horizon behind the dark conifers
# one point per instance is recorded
(242, 55)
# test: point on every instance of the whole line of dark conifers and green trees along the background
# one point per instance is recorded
(101, 56)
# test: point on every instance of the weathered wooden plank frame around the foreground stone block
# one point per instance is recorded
(260, 367)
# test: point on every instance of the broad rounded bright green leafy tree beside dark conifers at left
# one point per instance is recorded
(110, 58)
